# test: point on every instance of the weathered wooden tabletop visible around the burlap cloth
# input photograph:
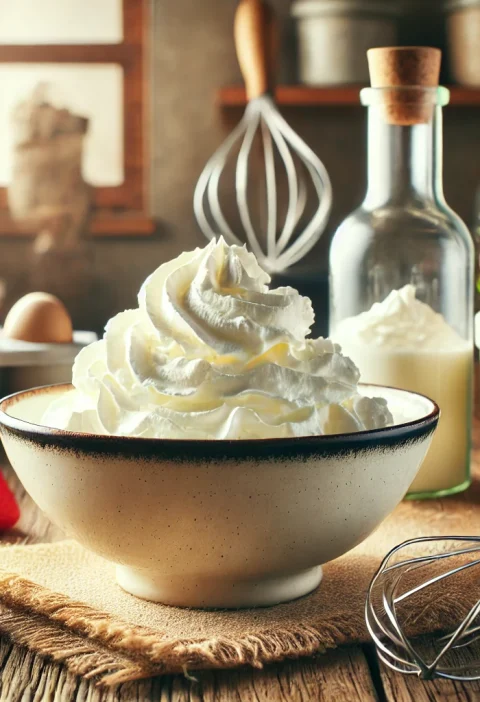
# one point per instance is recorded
(343, 675)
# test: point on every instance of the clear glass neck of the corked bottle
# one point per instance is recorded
(404, 162)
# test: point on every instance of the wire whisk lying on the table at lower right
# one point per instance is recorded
(436, 579)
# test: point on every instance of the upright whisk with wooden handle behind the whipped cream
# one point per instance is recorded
(285, 244)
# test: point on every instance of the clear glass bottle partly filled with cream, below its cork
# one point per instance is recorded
(405, 234)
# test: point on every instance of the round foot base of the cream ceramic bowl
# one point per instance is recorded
(216, 592)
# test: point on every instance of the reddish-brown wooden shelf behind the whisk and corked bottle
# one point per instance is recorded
(337, 96)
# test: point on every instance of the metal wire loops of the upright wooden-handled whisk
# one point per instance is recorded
(262, 117)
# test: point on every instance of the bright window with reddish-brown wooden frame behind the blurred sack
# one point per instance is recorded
(91, 57)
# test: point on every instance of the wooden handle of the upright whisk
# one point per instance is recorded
(256, 43)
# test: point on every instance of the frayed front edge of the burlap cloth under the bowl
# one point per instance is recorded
(93, 643)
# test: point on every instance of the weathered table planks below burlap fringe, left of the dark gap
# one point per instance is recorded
(341, 675)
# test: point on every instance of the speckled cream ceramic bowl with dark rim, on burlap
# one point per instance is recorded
(217, 523)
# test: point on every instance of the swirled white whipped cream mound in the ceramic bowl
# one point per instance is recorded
(212, 353)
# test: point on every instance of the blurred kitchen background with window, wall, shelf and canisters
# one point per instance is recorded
(142, 93)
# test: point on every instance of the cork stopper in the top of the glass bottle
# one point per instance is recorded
(409, 68)
